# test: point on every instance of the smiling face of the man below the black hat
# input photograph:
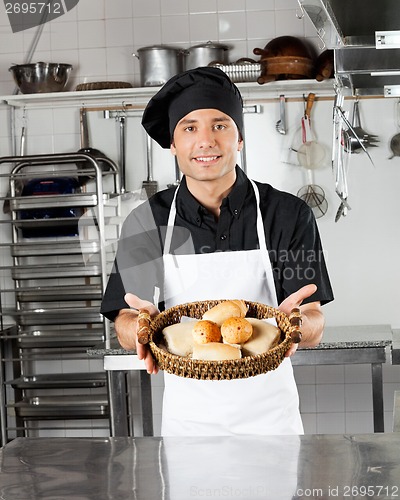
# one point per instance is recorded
(206, 143)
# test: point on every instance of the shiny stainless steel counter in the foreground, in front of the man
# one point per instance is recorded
(250, 468)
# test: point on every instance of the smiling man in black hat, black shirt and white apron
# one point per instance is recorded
(218, 235)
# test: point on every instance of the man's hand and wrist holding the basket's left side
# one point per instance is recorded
(126, 325)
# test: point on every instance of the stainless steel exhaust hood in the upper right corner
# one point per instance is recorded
(365, 37)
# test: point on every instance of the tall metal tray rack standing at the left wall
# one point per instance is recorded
(63, 231)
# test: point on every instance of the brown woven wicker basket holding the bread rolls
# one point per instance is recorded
(248, 366)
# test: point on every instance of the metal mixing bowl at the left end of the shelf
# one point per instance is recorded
(41, 77)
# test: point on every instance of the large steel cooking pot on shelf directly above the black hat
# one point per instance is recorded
(158, 63)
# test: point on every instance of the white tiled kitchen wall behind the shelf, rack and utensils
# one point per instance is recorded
(99, 37)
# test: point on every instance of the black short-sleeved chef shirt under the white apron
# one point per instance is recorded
(291, 234)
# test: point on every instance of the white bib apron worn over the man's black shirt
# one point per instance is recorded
(261, 405)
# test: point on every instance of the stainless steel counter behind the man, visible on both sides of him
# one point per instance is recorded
(369, 344)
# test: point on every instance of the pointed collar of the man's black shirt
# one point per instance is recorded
(190, 209)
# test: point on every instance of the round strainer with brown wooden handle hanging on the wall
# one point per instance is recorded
(310, 154)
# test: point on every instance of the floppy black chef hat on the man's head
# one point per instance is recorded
(199, 88)
